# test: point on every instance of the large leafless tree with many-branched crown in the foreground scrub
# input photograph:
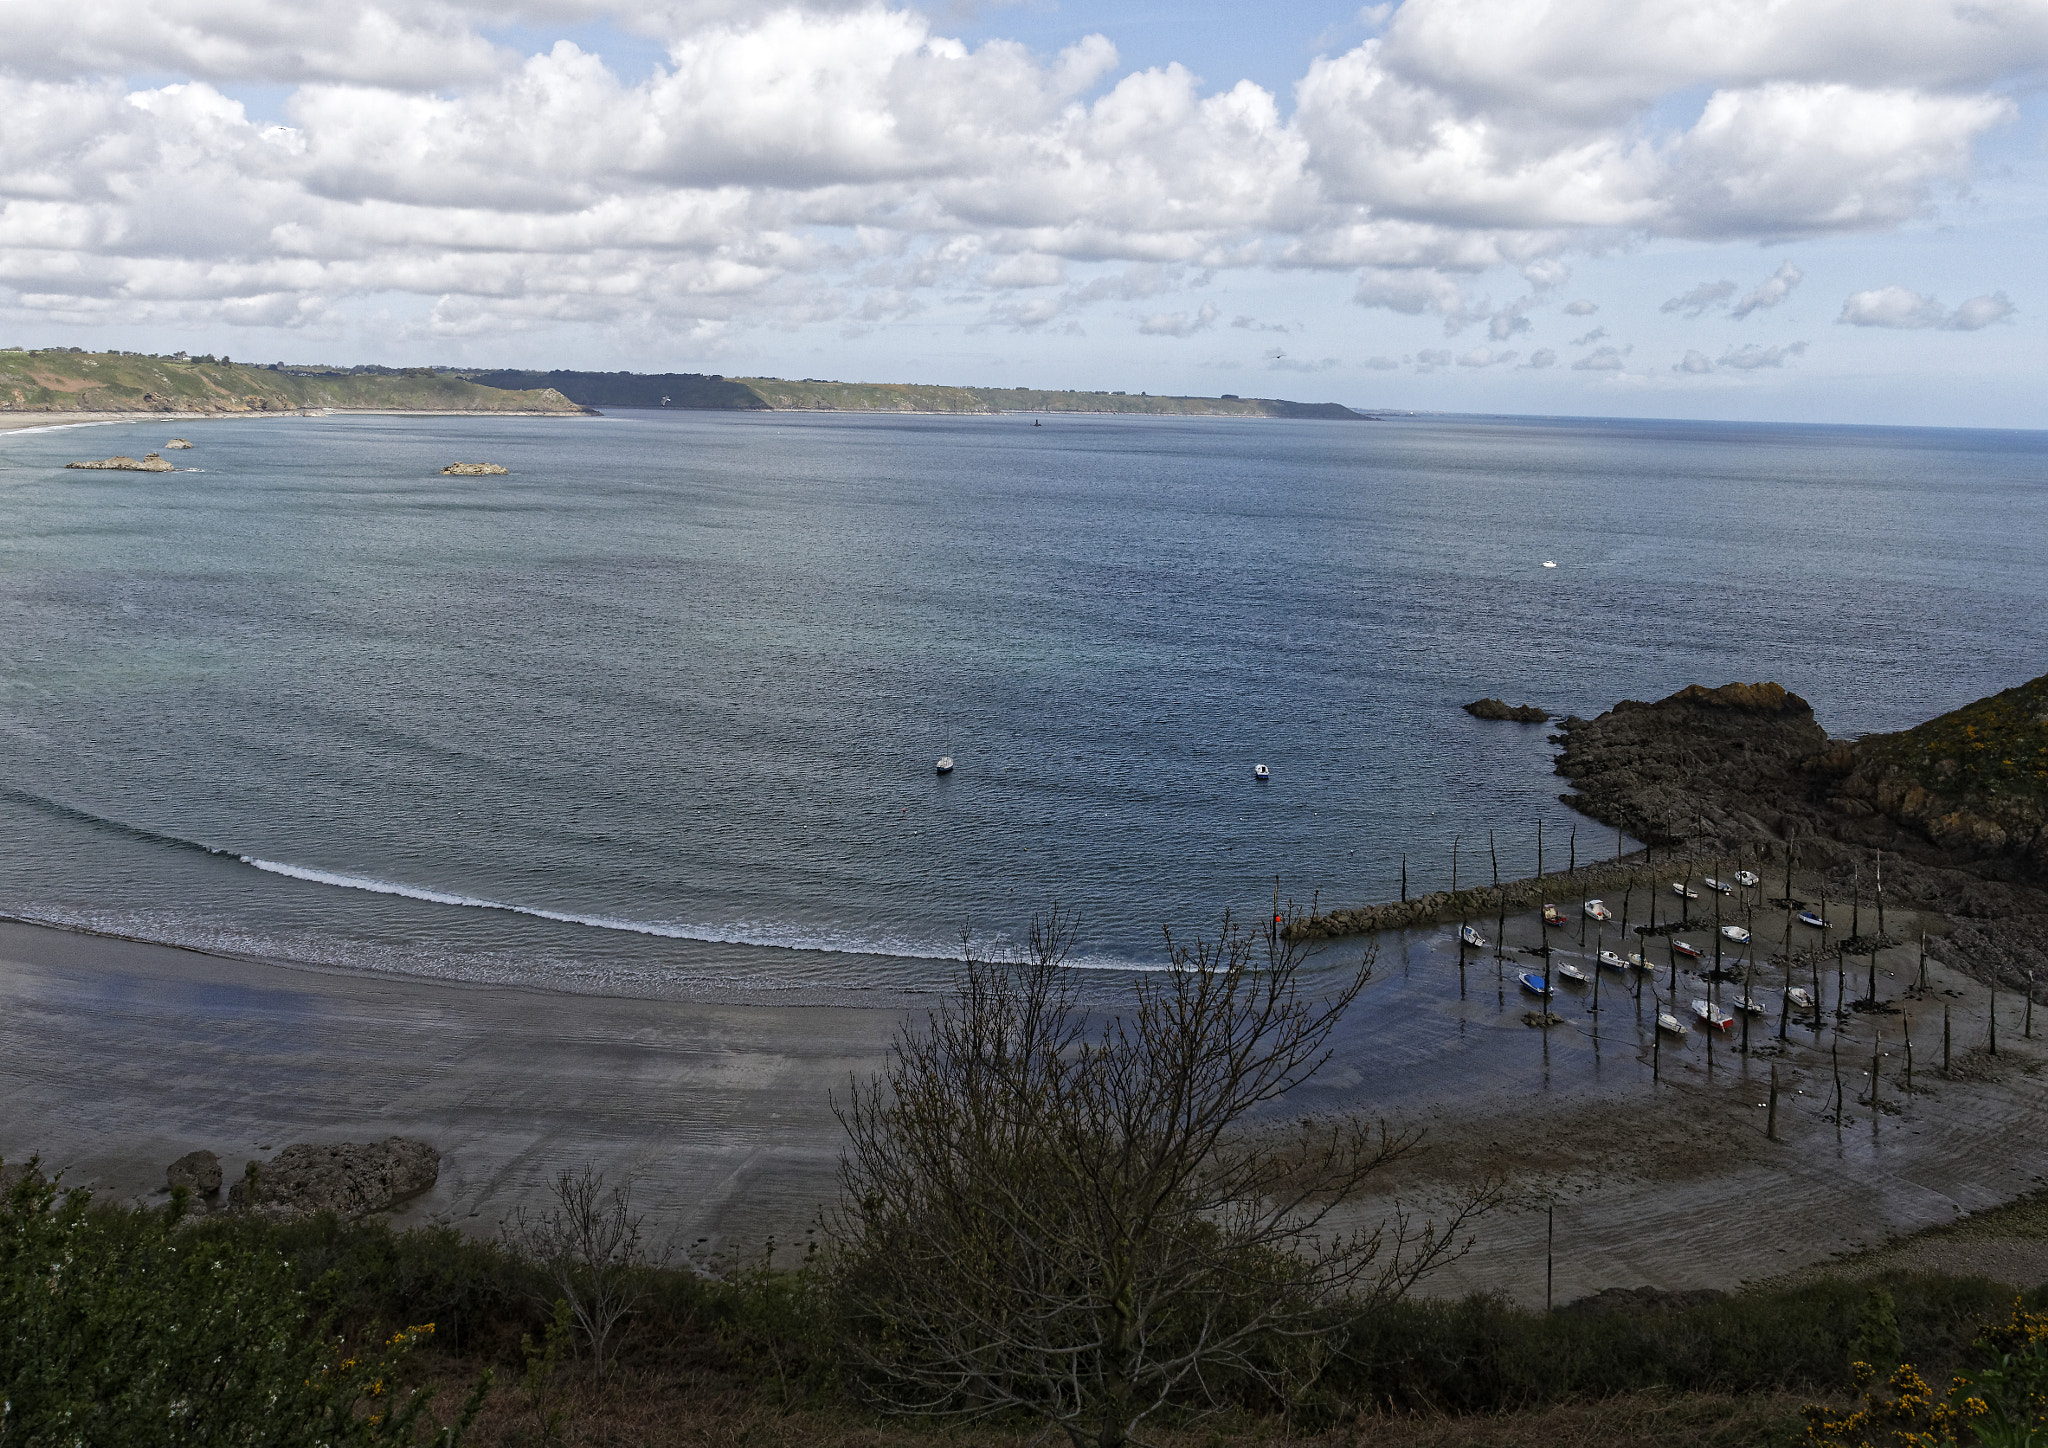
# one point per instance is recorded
(1080, 1216)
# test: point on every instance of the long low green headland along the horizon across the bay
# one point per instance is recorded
(114, 384)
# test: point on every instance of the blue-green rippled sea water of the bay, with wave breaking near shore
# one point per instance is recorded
(658, 712)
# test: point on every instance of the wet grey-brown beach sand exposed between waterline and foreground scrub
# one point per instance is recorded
(124, 1056)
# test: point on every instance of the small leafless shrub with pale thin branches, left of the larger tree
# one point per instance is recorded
(593, 1250)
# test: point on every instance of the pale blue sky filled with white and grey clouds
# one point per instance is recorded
(1750, 210)
